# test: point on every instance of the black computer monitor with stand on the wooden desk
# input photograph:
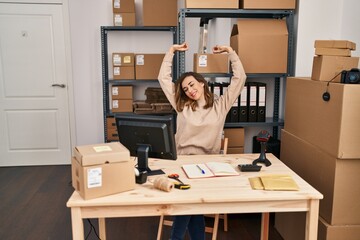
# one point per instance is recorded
(147, 136)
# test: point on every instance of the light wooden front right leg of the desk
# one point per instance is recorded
(312, 218)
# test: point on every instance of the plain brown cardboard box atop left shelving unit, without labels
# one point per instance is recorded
(160, 13)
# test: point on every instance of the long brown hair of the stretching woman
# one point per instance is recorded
(182, 100)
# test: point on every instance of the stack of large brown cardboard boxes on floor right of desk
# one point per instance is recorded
(320, 142)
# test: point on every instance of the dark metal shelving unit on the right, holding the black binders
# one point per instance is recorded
(184, 13)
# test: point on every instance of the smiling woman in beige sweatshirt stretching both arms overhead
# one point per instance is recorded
(200, 119)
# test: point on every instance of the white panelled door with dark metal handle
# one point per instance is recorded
(34, 111)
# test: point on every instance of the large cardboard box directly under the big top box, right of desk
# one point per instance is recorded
(337, 179)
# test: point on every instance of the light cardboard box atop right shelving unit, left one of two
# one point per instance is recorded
(231, 4)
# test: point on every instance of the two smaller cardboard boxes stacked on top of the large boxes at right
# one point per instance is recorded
(332, 57)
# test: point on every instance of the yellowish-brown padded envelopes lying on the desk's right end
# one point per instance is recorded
(278, 182)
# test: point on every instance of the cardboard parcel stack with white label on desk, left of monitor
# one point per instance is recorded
(102, 169)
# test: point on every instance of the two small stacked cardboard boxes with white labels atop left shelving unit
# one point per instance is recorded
(124, 12)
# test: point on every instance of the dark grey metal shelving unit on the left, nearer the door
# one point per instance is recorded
(105, 64)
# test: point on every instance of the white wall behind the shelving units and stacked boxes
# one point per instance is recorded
(321, 19)
